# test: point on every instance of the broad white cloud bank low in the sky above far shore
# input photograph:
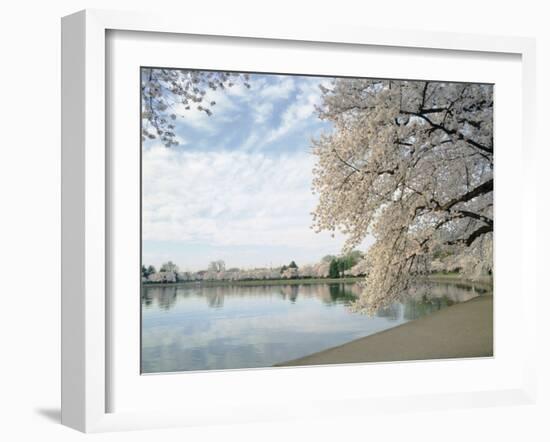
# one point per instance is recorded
(229, 198)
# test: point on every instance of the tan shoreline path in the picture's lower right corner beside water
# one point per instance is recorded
(460, 331)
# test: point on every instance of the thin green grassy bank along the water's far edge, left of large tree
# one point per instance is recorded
(258, 282)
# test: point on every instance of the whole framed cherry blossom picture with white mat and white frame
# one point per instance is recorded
(258, 216)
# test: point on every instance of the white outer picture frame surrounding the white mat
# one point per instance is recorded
(86, 200)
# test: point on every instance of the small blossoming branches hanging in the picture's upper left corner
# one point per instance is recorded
(167, 93)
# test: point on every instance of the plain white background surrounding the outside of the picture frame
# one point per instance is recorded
(30, 217)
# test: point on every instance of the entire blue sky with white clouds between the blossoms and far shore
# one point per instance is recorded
(238, 186)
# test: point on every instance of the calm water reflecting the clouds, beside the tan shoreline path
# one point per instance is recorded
(189, 328)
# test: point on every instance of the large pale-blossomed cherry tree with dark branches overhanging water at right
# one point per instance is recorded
(410, 163)
